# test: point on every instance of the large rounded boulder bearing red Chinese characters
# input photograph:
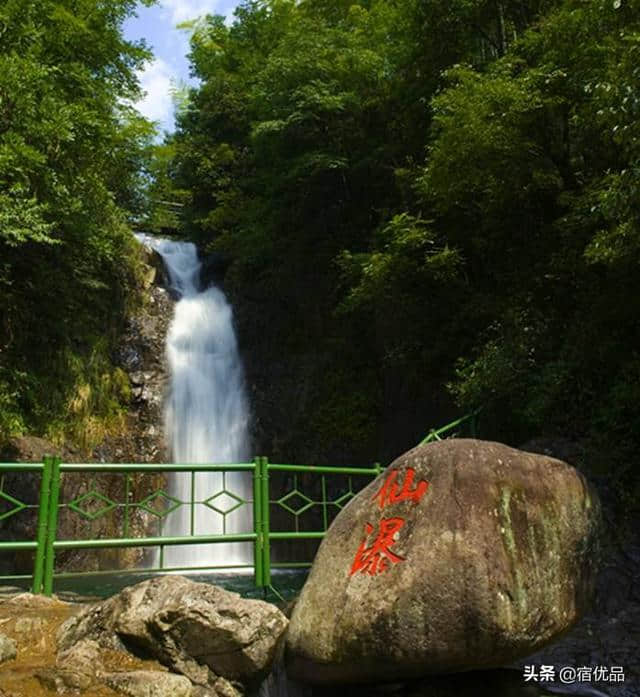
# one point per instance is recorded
(463, 554)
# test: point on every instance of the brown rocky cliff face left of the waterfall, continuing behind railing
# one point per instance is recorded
(140, 354)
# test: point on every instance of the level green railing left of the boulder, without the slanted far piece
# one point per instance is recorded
(47, 544)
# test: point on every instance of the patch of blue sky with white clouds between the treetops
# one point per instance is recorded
(157, 25)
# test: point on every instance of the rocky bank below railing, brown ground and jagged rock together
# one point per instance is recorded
(168, 637)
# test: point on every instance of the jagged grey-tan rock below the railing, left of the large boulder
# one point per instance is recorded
(196, 629)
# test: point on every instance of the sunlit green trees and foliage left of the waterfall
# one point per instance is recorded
(71, 154)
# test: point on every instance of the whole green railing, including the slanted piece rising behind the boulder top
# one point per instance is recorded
(294, 503)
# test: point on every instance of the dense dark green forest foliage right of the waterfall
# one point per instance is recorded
(431, 198)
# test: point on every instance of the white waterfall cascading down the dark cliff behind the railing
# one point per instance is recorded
(206, 414)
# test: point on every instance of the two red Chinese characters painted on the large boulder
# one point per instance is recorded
(378, 557)
